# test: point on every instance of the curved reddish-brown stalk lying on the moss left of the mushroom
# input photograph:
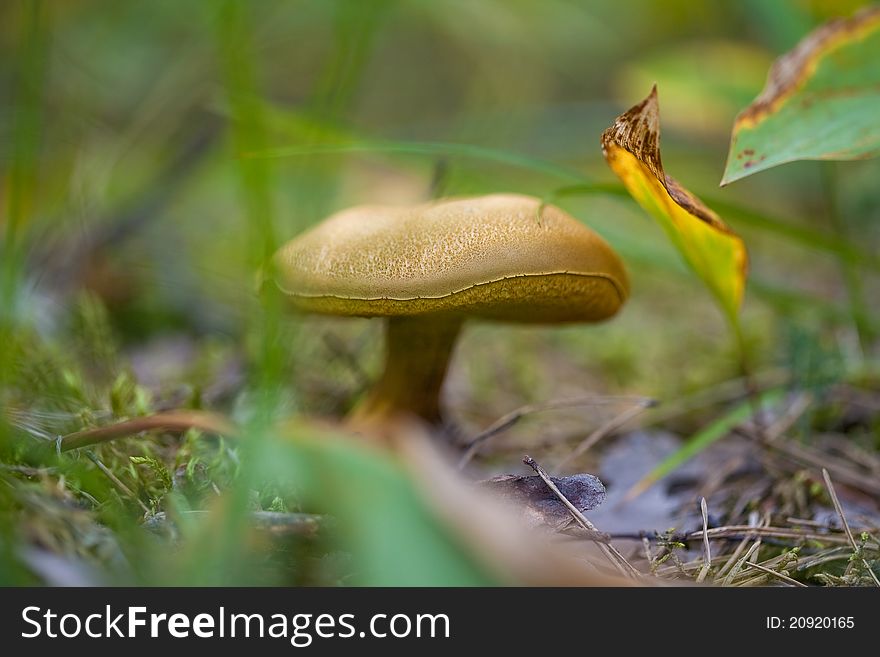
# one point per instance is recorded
(177, 421)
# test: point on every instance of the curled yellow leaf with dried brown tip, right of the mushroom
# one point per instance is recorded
(717, 254)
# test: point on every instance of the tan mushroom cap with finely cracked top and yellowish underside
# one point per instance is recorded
(490, 256)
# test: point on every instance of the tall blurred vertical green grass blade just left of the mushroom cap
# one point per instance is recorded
(217, 552)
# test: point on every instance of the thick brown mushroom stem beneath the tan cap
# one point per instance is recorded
(417, 353)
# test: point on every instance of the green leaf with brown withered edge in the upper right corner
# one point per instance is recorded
(821, 101)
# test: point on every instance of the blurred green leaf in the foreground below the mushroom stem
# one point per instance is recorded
(383, 521)
